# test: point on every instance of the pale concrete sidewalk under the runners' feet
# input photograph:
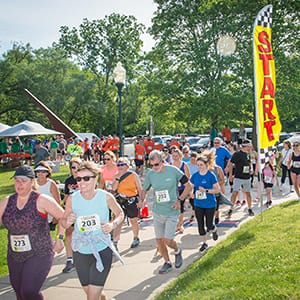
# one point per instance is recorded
(138, 278)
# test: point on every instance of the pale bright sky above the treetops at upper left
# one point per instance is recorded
(38, 21)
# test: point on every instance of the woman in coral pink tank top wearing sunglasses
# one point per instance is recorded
(108, 170)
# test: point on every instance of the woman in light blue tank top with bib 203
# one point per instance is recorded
(88, 209)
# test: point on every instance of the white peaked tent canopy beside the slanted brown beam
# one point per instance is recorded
(27, 128)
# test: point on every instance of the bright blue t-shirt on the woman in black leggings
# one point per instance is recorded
(204, 200)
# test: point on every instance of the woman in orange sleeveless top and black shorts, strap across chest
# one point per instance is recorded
(128, 186)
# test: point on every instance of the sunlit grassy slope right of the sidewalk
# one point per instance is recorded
(260, 260)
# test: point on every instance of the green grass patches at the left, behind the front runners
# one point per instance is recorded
(7, 188)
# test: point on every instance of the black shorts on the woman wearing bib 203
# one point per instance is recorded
(85, 265)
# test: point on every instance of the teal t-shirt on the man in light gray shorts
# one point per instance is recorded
(165, 185)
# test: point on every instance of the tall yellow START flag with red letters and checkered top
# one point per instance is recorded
(267, 118)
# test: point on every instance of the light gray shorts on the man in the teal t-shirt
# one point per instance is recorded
(165, 227)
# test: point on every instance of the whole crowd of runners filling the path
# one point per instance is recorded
(103, 190)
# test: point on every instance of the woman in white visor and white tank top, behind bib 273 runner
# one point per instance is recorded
(47, 186)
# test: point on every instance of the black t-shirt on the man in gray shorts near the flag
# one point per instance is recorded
(241, 161)
